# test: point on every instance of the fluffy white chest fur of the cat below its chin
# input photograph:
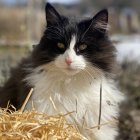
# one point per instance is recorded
(56, 92)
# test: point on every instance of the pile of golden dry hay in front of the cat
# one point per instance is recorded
(32, 125)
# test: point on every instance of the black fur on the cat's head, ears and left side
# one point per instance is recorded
(92, 32)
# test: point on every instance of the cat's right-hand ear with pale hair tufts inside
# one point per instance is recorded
(100, 21)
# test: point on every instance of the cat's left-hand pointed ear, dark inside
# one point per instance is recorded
(52, 16)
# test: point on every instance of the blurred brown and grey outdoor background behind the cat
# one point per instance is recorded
(22, 23)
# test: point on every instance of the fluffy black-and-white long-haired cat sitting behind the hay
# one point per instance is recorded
(73, 62)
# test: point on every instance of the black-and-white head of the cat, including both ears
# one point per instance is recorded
(74, 45)
